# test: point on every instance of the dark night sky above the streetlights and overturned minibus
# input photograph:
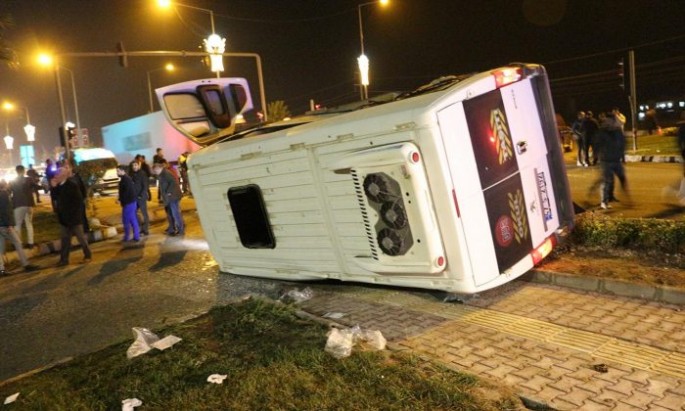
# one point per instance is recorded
(309, 50)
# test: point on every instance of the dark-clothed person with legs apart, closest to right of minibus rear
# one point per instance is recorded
(611, 150)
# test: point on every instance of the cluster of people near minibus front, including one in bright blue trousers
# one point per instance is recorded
(134, 193)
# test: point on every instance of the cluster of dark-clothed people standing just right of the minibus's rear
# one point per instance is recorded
(605, 138)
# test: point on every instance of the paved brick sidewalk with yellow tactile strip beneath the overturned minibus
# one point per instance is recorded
(562, 348)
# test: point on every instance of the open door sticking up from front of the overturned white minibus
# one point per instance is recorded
(205, 110)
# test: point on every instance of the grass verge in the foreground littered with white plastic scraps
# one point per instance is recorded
(274, 361)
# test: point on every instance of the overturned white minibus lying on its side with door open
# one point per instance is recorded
(459, 185)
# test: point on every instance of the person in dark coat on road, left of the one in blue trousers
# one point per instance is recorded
(69, 210)
